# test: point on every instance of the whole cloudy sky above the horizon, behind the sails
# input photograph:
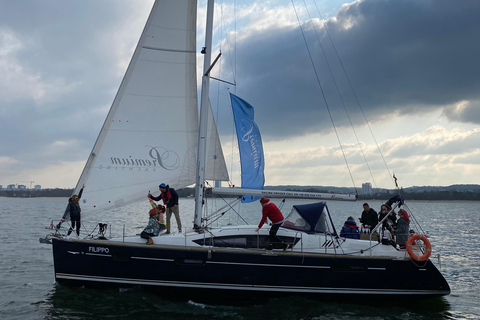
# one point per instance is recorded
(409, 67)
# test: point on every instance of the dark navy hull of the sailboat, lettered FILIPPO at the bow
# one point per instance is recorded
(231, 270)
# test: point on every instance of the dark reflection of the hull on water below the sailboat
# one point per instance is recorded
(84, 303)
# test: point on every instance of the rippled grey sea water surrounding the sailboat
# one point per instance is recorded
(28, 289)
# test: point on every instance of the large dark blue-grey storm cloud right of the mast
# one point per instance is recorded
(403, 56)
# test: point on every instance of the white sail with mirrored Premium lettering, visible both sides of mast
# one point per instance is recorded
(150, 134)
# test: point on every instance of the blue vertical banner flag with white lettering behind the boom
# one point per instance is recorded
(250, 145)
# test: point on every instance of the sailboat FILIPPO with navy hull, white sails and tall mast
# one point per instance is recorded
(154, 133)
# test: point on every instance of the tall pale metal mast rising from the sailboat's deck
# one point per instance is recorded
(199, 187)
